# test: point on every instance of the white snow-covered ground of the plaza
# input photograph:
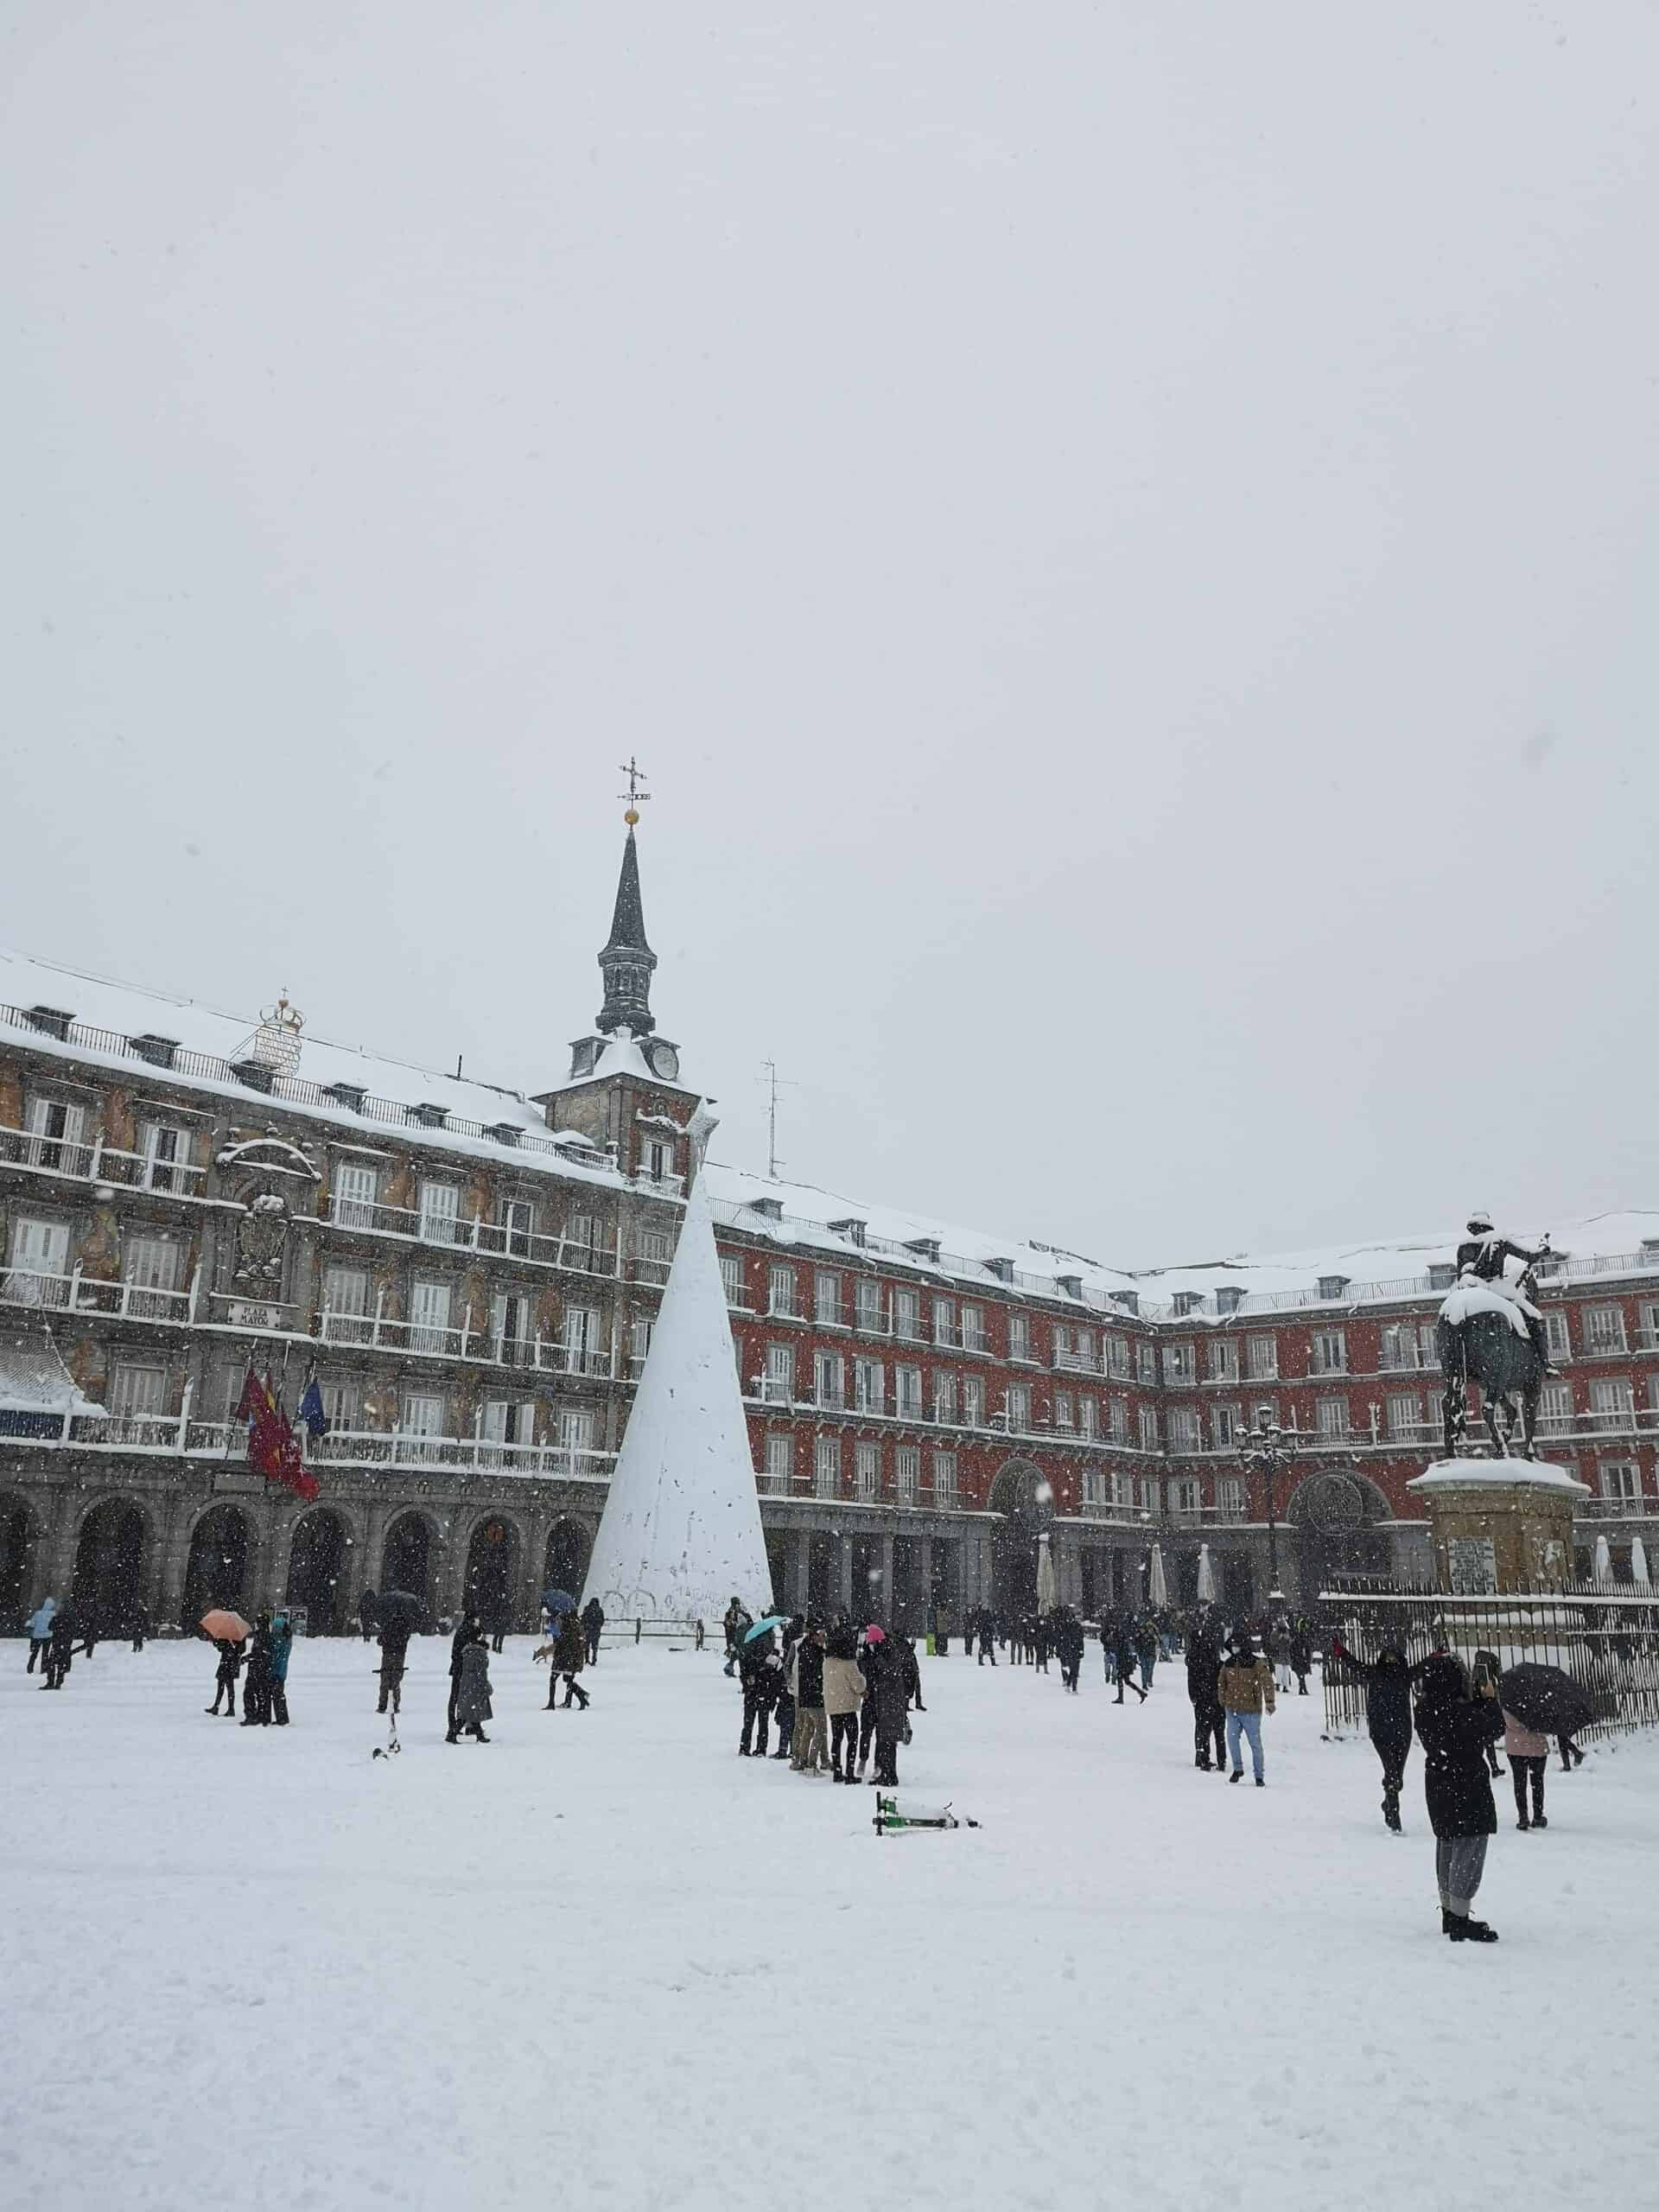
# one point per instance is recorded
(603, 1959)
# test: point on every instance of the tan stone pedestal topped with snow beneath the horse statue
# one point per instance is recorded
(1501, 1525)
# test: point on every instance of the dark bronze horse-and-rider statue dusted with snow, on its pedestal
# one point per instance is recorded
(1490, 1333)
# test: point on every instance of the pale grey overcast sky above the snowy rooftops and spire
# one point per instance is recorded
(1123, 534)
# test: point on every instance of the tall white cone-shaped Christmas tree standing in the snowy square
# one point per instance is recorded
(682, 1525)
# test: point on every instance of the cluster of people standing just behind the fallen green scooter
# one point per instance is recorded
(837, 1693)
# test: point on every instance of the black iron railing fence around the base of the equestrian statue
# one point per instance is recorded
(1607, 1638)
